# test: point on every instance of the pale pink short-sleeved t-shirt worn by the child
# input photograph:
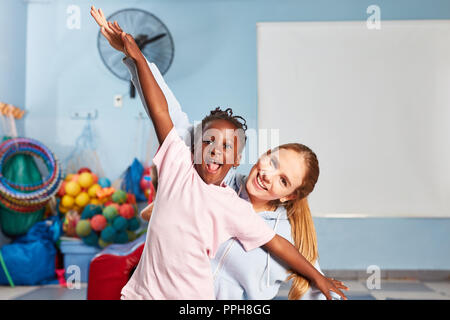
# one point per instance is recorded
(190, 220)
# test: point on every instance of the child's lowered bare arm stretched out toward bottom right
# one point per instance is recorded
(284, 250)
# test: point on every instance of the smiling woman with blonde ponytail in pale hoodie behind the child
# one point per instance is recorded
(277, 187)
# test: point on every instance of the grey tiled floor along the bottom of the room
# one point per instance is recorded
(390, 290)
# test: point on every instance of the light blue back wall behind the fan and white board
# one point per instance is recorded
(215, 64)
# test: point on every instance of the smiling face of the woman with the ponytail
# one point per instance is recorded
(276, 175)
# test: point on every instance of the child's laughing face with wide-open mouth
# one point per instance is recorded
(220, 151)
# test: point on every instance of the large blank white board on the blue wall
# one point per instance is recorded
(373, 104)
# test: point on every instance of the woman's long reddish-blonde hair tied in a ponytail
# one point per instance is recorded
(299, 215)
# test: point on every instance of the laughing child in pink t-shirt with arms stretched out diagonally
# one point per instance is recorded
(193, 211)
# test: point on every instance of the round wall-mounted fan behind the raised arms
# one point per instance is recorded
(150, 34)
